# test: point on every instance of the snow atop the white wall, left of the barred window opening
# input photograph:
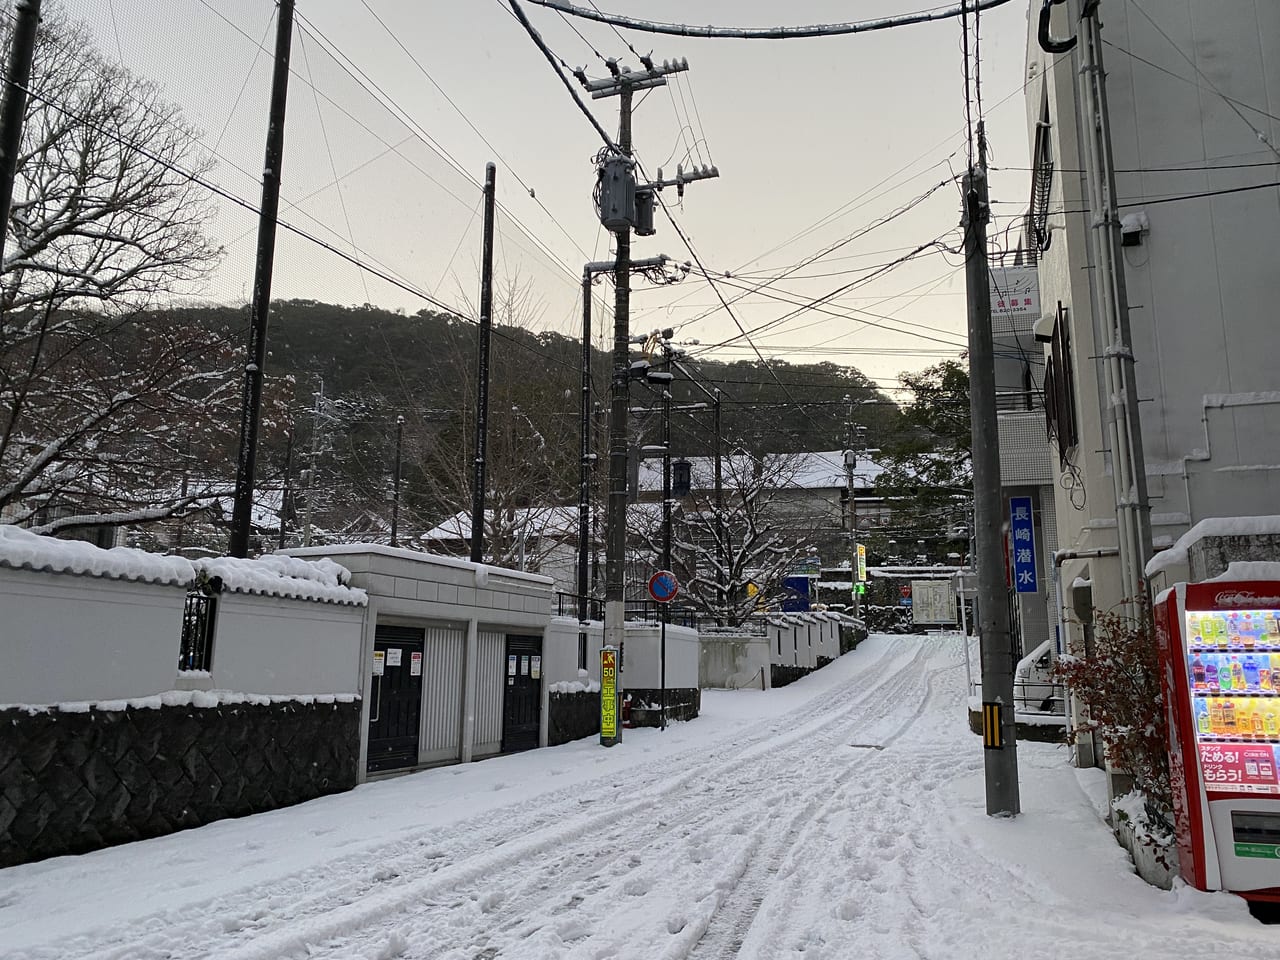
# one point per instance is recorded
(21, 550)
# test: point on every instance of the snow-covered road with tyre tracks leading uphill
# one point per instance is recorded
(840, 817)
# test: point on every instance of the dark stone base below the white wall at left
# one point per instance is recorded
(79, 781)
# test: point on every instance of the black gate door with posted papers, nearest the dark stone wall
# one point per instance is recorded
(396, 698)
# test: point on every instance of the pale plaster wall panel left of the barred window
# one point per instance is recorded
(80, 638)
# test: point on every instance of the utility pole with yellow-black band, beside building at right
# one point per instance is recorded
(998, 656)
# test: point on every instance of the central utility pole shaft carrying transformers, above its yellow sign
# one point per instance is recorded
(615, 557)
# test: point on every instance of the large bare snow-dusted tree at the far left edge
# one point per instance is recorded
(106, 403)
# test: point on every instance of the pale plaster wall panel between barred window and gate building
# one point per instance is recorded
(284, 646)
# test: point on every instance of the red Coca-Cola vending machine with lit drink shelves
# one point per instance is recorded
(1220, 659)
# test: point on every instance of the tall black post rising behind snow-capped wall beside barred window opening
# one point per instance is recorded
(252, 405)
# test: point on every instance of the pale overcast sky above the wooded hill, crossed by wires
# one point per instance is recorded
(816, 141)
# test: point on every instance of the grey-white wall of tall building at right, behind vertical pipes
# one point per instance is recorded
(1204, 285)
